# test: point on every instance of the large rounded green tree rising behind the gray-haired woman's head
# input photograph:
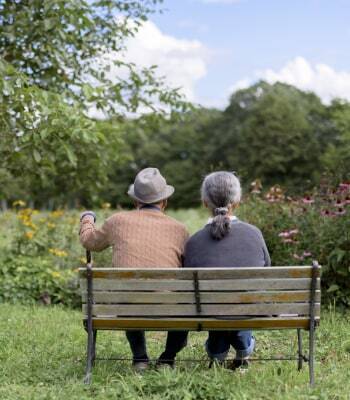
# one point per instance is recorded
(272, 132)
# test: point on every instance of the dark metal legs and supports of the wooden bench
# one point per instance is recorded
(301, 357)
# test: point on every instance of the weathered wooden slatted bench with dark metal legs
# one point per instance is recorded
(201, 300)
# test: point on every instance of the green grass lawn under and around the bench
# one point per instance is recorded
(42, 356)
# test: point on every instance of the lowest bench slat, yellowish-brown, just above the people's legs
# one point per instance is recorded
(206, 323)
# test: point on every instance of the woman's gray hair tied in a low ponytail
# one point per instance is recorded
(219, 191)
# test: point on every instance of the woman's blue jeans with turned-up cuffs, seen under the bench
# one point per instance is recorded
(219, 342)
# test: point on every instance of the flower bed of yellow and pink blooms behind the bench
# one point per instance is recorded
(40, 251)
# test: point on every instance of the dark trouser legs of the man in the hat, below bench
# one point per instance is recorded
(176, 341)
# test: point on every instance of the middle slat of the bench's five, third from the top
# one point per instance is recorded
(205, 297)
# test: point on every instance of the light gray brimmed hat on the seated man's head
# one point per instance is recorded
(150, 187)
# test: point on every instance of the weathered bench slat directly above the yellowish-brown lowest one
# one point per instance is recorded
(207, 309)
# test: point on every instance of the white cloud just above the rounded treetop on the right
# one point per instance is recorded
(326, 82)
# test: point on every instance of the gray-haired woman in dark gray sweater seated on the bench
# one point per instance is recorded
(226, 242)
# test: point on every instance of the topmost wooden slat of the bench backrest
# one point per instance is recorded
(203, 273)
